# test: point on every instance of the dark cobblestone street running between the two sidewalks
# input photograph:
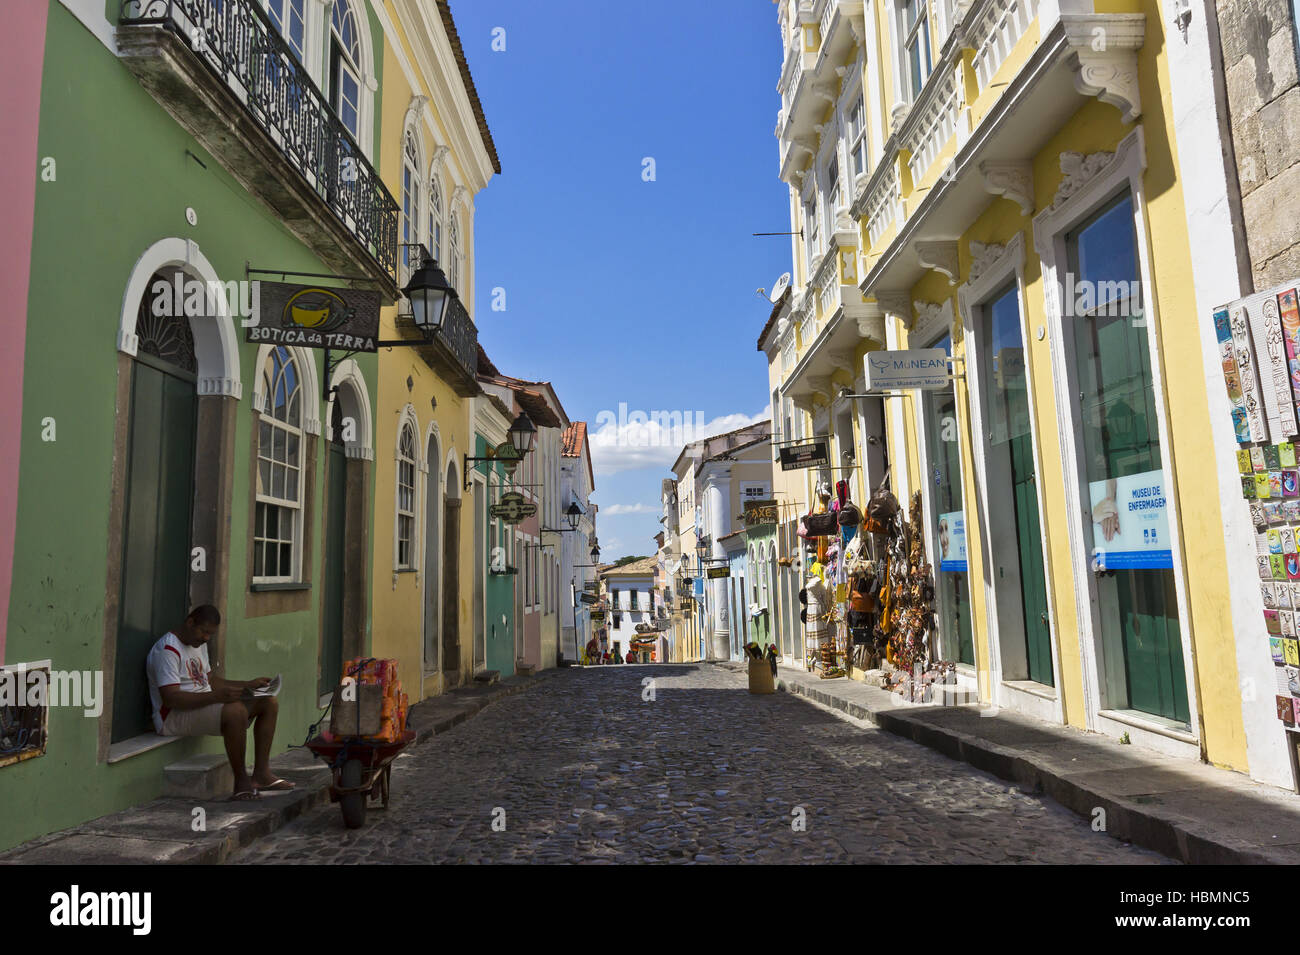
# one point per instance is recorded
(588, 771)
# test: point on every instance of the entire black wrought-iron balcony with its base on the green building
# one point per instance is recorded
(224, 72)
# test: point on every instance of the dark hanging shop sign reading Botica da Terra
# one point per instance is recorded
(314, 316)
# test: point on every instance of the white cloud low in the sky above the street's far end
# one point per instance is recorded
(626, 440)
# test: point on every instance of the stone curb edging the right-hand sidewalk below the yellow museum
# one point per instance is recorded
(1128, 819)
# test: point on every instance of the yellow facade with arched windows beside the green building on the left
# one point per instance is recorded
(439, 157)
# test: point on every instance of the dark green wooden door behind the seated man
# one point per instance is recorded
(157, 532)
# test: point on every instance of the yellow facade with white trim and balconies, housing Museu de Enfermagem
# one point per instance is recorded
(1006, 180)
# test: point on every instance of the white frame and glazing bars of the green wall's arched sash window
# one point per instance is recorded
(294, 506)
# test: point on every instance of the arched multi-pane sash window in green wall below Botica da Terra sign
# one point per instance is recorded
(278, 523)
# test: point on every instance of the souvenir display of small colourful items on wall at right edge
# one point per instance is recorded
(1259, 341)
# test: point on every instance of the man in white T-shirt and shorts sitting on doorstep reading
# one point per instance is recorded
(190, 702)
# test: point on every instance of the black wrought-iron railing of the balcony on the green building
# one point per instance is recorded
(237, 42)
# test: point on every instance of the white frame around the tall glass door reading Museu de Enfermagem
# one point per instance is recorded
(1123, 173)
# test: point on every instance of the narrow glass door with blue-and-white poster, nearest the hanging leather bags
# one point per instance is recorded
(947, 520)
